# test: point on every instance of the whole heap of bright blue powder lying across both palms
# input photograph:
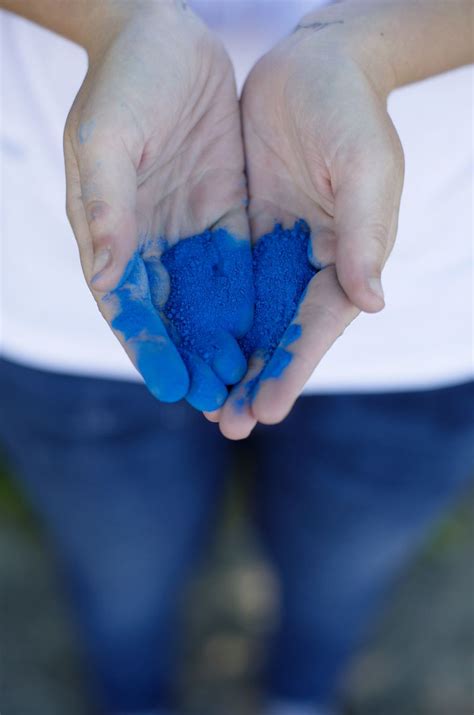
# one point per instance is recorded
(211, 291)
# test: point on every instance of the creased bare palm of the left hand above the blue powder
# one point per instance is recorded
(191, 172)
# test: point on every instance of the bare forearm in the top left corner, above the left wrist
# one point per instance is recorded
(89, 23)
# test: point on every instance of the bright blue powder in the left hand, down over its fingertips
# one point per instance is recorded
(210, 305)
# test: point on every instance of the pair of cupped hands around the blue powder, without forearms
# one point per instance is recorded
(159, 148)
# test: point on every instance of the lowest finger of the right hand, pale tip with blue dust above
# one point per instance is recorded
(236, 418)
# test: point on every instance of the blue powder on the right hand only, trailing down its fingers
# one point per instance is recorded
(282, 272)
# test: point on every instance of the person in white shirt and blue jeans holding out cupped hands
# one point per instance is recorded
(381, 443)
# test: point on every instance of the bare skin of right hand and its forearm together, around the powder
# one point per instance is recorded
(320, 145)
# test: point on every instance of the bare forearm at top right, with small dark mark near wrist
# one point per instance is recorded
(401, 41)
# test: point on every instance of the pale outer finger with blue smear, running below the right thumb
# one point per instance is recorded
(322, 317)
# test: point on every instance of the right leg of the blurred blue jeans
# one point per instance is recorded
(347, 488)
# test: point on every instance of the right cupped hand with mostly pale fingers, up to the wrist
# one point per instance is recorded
(320, 146)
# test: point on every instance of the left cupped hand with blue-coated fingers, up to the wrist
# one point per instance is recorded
(153, 154)
